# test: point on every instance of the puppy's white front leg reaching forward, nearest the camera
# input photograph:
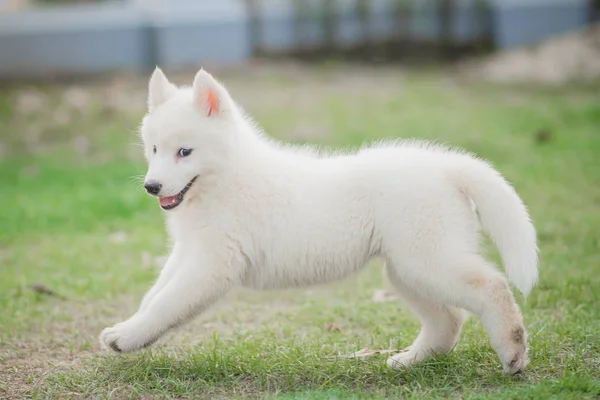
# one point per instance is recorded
(194, 286)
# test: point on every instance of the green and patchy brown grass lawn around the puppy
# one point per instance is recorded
(77, 223)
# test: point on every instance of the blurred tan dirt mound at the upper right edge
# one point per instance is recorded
(573, 57)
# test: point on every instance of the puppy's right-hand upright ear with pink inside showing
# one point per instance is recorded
(210, 97)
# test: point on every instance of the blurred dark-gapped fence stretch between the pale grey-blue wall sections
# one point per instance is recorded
(368, 29)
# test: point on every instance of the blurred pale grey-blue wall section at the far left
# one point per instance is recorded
(88, 39)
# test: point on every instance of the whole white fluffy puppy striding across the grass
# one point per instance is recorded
(264, 215)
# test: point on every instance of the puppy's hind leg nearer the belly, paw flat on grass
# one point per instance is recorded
(441, 326)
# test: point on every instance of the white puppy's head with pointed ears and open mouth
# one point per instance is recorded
(185, 135)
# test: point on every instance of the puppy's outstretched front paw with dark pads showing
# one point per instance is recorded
(125, 337)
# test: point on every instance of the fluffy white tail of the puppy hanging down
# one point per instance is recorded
(505, 218)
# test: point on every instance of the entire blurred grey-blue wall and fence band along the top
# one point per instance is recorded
(108, 36)
